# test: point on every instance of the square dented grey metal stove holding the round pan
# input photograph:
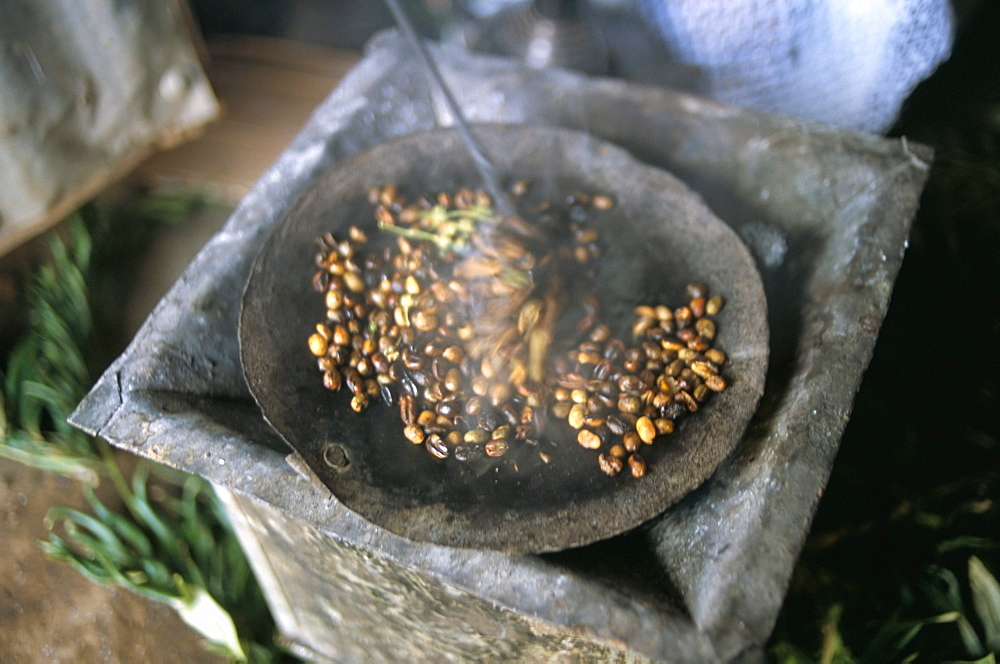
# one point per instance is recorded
(826, 213)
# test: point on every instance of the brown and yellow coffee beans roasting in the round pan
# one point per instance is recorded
(458, 318)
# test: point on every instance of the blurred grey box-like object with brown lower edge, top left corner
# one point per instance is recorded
(87, 90)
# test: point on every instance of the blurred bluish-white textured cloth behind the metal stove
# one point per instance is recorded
(849, 63)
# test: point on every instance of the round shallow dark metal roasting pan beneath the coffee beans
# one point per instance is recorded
(658, 237)
